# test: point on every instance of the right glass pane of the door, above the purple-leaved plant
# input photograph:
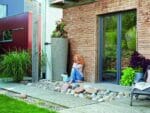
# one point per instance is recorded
(128, 37)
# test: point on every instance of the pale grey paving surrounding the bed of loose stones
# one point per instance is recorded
(79, 105)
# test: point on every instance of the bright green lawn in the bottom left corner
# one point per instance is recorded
(9, 105)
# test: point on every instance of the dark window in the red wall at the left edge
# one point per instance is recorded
(6, 36)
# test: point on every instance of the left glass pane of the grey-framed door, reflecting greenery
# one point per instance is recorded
(109, 48)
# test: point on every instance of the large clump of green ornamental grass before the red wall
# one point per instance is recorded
(15, 64)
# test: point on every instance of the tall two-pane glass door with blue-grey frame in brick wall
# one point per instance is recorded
(117, 43)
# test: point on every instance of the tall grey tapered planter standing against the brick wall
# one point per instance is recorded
(59, 57)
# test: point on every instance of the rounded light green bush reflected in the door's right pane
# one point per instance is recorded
(131, 38)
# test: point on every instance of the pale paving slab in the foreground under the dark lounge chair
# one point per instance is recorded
(111, 107)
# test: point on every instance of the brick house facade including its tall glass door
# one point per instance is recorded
(99, 30)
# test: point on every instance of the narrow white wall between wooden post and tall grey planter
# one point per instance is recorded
(49, 17)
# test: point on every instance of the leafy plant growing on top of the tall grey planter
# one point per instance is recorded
(59, 32)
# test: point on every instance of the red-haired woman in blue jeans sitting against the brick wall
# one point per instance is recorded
(77, 69)
